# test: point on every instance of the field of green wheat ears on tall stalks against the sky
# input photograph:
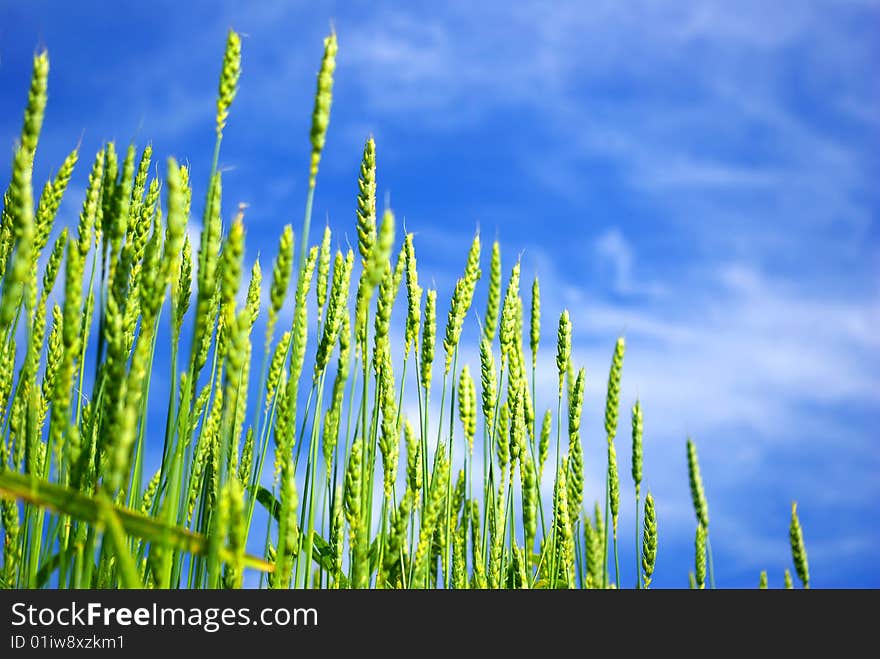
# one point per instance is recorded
(326, 478)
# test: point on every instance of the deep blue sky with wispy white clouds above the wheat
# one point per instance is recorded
(700, 176)
